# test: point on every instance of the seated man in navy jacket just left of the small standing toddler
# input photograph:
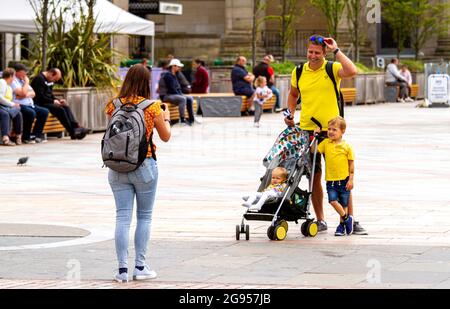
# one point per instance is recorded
(242, 80)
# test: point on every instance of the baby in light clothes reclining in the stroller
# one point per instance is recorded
(275, 189)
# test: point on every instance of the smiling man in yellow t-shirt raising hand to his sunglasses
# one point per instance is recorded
(318, 100)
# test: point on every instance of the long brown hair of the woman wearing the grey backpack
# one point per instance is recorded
(136, 83)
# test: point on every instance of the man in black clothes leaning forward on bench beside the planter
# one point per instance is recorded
(43, 86)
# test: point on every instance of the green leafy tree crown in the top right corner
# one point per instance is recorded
(427, 20)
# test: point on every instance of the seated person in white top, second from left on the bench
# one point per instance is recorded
(23, 94)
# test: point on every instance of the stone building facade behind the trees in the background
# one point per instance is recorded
(222, 29)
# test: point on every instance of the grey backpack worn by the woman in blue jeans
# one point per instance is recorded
(125, 145)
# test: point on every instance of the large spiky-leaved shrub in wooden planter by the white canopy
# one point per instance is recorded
(89, 76)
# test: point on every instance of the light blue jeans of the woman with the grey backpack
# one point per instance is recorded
(125, 186)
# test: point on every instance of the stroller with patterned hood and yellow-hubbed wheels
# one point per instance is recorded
(291, 150)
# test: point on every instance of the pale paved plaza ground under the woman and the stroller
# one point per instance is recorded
(57, 212)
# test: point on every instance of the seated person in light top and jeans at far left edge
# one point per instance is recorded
(10, 109)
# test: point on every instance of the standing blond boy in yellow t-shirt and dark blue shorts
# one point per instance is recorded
(339, 171)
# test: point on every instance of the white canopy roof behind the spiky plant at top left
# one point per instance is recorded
(19, 17)
